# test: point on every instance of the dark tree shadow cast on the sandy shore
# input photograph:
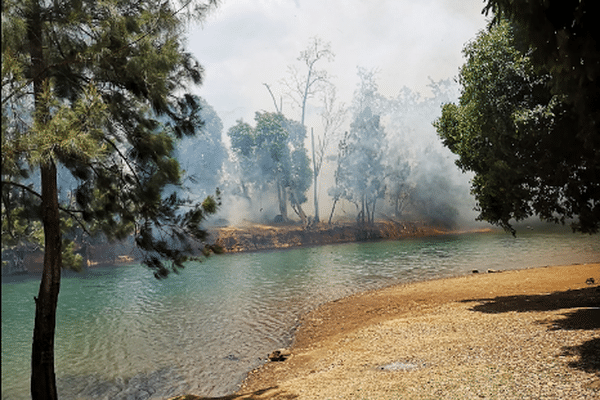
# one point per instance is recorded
(581, 312)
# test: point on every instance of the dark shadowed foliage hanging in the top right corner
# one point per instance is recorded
(564, 38)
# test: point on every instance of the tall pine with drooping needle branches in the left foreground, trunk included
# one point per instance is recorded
(101, 89)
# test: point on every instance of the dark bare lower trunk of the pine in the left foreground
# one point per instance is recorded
(43, 380)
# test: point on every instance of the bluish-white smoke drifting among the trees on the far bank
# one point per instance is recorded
(416, 178)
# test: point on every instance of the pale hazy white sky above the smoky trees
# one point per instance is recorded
(245, 43)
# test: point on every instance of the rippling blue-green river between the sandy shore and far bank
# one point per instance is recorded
(123, 334)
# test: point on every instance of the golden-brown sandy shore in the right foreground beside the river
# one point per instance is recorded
(525, 334)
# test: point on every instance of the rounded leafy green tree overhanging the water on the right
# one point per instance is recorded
(519, 138)
